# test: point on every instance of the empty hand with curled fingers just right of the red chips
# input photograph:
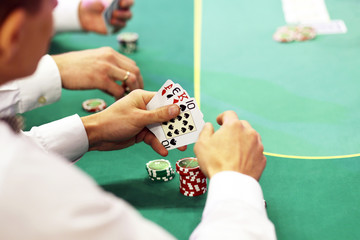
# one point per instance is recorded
(236, 146)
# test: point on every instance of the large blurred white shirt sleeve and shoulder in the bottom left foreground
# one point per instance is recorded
(43, 197)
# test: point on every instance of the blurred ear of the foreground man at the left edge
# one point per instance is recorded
(11, 32)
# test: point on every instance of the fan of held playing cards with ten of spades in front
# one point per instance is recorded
(185, 128)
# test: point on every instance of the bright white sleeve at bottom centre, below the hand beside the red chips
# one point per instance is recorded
(234, 210)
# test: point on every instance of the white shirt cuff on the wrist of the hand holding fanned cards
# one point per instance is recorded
(66, 137)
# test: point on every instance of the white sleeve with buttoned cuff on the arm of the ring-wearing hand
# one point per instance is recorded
(41, 88)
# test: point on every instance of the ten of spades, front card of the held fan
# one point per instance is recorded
(182, 130)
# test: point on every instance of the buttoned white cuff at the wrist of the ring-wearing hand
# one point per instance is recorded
(42, 88)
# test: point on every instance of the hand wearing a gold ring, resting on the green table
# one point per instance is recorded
(98, 69)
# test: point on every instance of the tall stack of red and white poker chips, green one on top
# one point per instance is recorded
(192, 180)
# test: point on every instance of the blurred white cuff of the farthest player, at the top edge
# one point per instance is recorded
(66, 16)
